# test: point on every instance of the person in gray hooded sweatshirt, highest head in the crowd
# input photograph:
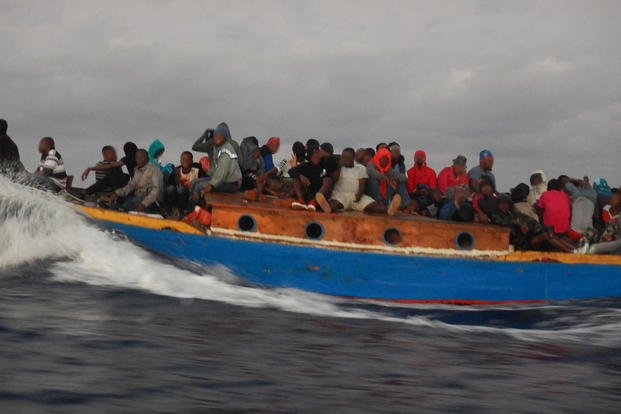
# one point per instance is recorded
(225, 175)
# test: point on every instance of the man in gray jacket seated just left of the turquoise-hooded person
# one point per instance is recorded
(145, 189)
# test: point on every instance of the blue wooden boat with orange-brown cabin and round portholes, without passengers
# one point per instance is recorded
(403, 259)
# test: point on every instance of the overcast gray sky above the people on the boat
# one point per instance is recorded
(538, 83)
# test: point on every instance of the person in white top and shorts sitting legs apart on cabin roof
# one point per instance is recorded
(348, 193)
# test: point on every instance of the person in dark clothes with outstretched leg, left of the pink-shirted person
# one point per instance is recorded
(526, 233)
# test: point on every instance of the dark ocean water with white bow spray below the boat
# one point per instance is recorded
(91, 323)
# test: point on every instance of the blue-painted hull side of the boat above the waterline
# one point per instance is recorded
(385, 276)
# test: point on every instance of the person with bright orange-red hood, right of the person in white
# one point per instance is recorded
(383, 181)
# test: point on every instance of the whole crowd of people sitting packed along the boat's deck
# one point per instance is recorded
(562, 214)
